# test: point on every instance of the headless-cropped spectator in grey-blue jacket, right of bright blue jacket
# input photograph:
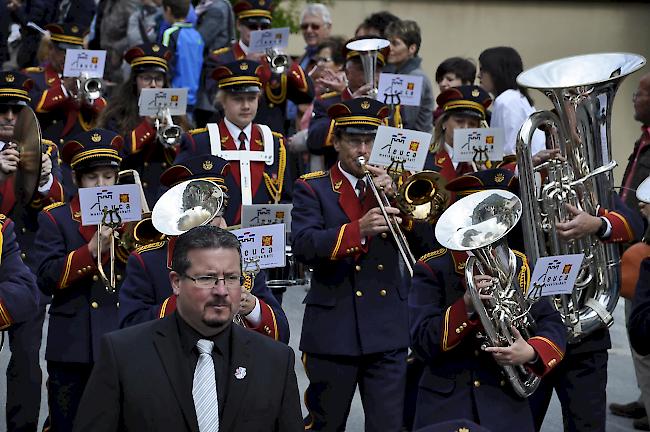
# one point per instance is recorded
(216, 23)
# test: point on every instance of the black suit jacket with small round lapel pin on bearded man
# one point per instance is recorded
(139, 383)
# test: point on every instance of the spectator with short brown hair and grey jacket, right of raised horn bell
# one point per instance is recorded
(405, 40)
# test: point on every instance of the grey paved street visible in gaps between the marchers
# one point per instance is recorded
(621, 385)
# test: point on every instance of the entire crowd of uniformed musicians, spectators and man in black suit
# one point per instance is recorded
(159, 350)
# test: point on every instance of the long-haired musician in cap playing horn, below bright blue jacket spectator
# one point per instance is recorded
(143, 149)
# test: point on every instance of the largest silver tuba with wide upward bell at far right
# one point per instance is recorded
(582, 90)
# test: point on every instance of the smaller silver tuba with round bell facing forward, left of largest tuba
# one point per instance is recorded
(479, 223)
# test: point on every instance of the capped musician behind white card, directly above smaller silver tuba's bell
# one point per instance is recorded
(462, 107)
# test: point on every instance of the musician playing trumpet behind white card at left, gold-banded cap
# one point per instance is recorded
(65, 253)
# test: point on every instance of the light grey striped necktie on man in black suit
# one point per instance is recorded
(204, 389)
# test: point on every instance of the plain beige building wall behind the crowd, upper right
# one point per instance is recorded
(540, 31)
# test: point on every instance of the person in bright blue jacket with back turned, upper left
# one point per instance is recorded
(185, 42)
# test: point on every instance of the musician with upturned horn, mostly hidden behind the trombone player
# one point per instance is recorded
(319, 139)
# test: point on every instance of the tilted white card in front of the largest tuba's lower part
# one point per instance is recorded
(554, 275)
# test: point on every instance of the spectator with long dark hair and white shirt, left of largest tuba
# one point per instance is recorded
(512, 105)
